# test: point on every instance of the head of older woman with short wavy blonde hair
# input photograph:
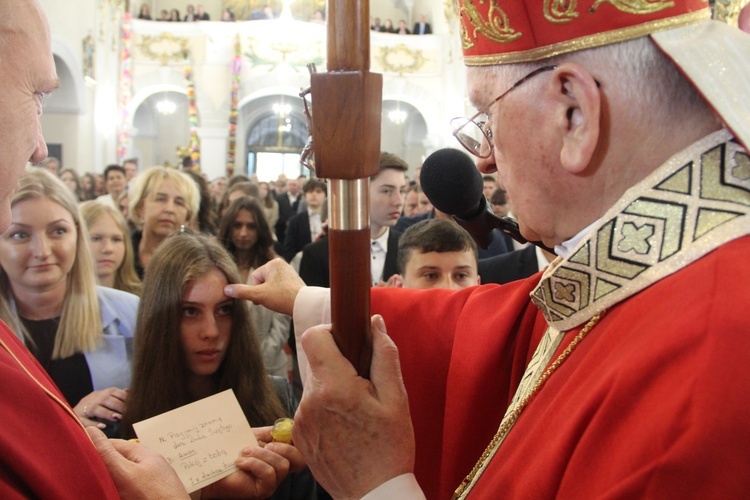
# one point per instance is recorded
(162, 201)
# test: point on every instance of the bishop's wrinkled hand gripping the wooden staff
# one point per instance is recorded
(354, 433)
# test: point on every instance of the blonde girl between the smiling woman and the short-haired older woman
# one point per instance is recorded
(111, 247)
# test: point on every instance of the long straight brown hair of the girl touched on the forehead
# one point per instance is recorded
(160, 372)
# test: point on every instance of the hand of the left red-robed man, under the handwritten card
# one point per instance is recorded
(138, 473)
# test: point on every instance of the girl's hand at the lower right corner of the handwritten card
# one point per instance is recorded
(262, 469)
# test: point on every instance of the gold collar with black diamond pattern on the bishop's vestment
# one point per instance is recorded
(698, 200)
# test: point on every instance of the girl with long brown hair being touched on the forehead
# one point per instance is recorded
(192, 341)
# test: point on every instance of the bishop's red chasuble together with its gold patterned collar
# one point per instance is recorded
(652, 403)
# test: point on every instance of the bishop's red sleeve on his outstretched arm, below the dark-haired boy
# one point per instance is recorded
(462, 357)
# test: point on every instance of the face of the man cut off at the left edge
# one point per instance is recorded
(28, 72)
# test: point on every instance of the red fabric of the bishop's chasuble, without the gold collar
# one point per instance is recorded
(653, 403)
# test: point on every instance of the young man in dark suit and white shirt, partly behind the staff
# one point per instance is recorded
(387, 189)
